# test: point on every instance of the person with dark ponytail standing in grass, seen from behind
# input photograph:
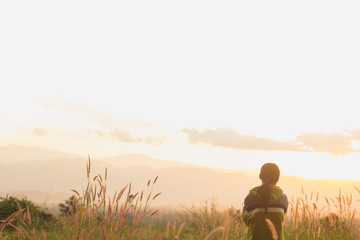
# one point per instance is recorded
(265, 206)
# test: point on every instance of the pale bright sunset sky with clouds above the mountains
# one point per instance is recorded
(230, 84)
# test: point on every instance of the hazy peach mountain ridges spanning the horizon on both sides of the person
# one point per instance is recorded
(179, 183)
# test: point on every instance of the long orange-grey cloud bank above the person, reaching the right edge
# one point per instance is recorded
(335, 144)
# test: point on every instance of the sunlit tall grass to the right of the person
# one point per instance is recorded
(308, 219)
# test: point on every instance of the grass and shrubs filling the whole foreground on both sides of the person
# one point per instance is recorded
(92, 214)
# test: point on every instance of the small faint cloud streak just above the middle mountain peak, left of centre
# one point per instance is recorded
(126, 136)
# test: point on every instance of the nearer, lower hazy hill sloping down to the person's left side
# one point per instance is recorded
(183, 185)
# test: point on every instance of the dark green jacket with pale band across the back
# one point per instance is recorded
(254, 213)
